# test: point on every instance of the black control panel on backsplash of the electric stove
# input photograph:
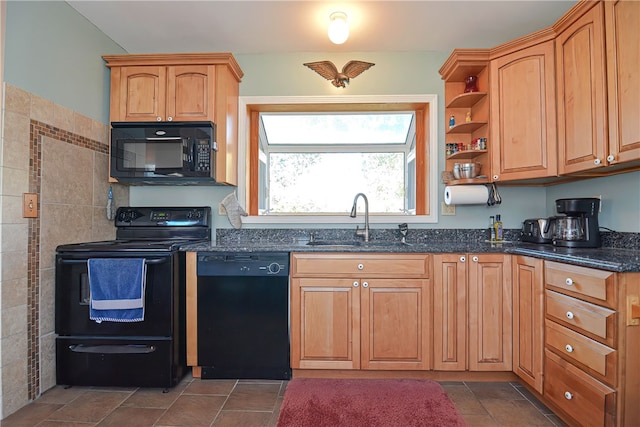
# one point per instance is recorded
(163, 216)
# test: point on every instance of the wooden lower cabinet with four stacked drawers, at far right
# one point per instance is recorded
(592, 345)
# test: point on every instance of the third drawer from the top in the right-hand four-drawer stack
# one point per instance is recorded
(595, 358)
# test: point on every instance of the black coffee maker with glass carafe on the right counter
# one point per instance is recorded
(578, 228)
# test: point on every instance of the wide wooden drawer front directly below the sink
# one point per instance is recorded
(359, 265)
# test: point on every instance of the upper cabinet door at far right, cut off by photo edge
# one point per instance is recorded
(623, 74)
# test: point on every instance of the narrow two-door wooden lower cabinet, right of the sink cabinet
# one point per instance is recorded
(472, 312)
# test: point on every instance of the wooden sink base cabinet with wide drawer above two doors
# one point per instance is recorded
(365, 319)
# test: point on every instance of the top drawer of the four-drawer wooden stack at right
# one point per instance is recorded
(593, 285)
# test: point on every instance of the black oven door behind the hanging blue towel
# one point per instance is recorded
(164, 283)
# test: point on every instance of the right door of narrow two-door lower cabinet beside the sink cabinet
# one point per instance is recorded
(490, 340)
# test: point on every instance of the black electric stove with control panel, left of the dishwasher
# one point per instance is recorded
(146, 353)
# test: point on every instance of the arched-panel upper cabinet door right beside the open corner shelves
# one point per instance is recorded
(523, 114)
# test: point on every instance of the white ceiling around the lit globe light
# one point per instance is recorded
(265, 26)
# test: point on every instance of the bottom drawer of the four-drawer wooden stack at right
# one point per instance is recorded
(582, 397)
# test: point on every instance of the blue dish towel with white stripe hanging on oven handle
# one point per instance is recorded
(117, 288)
